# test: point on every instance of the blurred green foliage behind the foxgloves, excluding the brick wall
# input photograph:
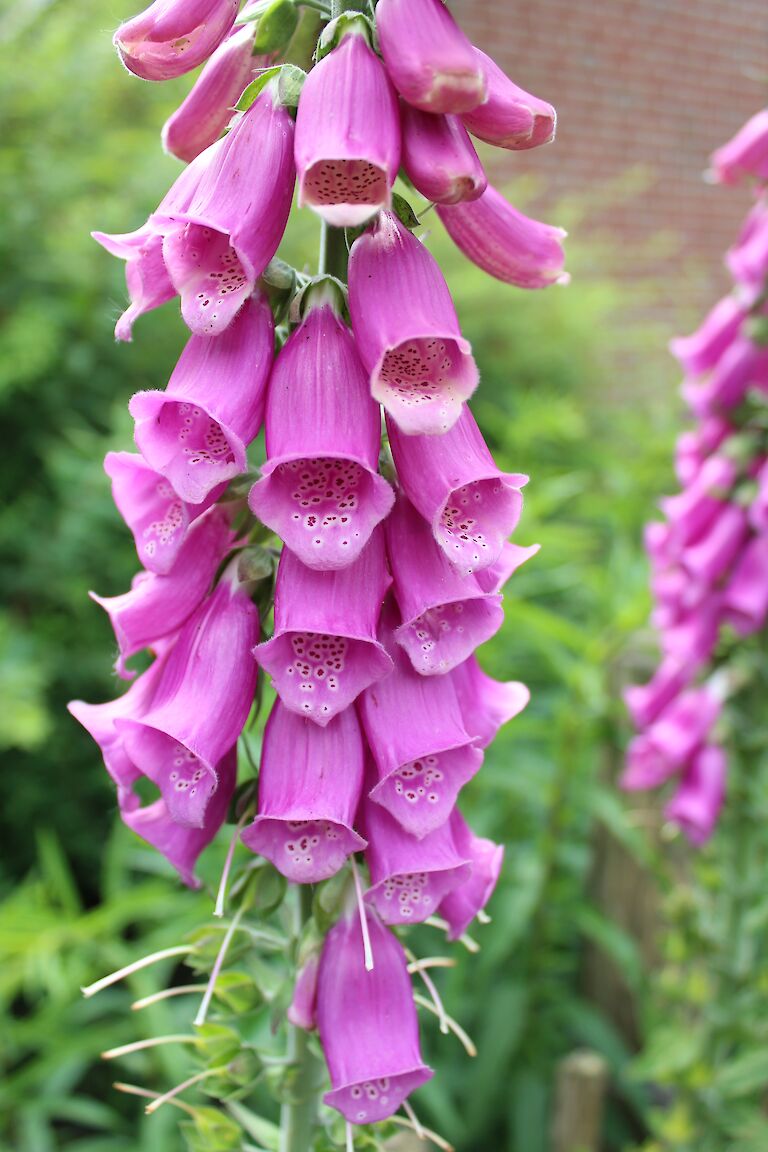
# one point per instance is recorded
(577, 391)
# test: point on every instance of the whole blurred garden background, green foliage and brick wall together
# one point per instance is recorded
(621, 967)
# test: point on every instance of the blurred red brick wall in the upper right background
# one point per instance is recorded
(651, 84)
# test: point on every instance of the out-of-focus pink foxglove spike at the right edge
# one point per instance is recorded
(710, 556)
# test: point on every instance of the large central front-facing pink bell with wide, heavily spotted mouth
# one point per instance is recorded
(321, 489)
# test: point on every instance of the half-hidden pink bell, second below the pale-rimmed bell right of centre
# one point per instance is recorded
(445, 616)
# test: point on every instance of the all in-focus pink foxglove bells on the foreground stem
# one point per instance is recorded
(394, 557)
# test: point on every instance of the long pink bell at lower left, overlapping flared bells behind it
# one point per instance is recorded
(201, 704)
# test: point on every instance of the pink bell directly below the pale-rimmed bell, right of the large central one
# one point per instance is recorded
(454, 482)
